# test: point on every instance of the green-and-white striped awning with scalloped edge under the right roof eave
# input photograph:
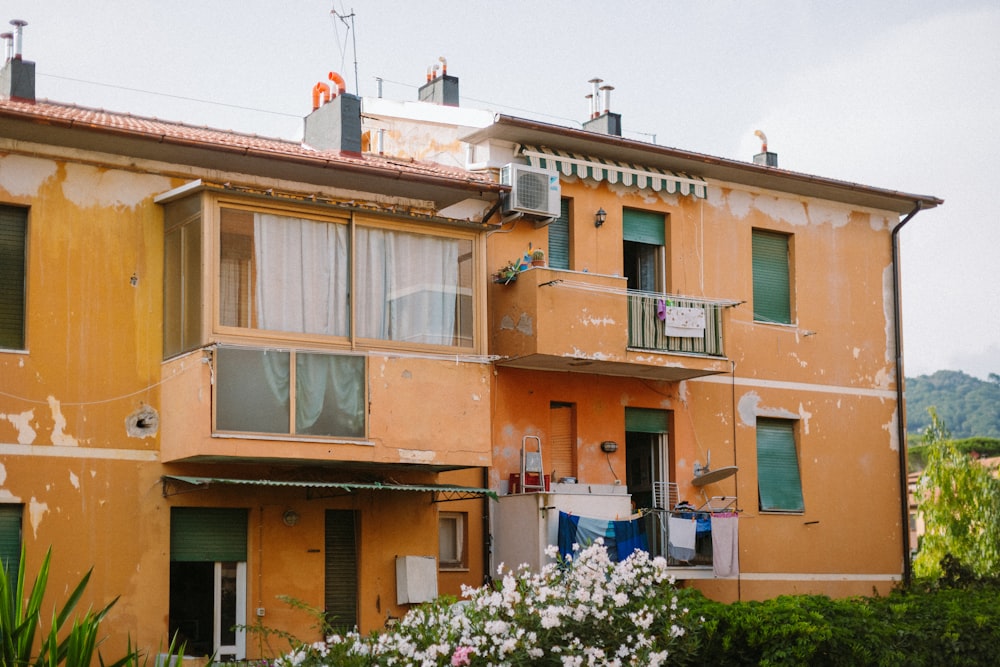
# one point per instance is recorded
(614, 172)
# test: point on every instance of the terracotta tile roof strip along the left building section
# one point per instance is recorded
(45, 111)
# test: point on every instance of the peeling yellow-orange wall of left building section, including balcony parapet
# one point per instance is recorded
(91, 490)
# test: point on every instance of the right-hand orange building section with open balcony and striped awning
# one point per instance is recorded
(705, 334)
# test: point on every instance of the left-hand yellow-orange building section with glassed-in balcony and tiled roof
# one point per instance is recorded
(235, 368)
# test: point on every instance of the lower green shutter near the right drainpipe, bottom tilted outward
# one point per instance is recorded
(778, 478)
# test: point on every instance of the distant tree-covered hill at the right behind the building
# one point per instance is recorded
(969, 407)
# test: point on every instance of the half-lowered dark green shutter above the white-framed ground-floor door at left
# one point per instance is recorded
(211, 534)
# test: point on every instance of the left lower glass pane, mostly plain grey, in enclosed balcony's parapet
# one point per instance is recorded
(252, 390)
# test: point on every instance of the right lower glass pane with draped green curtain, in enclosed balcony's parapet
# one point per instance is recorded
(329, 395)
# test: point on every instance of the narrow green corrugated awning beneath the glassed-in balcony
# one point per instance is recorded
(174, 484)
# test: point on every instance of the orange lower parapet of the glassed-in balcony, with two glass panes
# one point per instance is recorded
(227, 403)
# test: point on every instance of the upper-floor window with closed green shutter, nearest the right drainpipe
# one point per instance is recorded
(769, 274)
